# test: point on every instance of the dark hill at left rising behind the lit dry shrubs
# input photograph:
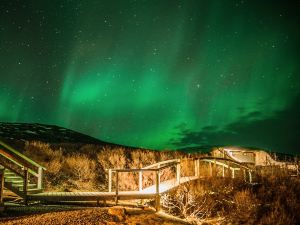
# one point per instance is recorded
(18, 134)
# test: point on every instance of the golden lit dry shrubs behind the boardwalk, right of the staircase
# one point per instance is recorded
(84, 168)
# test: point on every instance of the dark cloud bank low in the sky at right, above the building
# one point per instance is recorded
(277, 133)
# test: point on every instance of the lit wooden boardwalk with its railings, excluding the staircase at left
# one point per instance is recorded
(154, 191)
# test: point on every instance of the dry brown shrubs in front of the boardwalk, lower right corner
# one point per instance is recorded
(274, 200)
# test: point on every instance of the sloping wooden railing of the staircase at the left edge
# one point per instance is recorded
(21, 165)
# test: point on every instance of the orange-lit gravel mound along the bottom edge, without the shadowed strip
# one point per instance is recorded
(94, 216)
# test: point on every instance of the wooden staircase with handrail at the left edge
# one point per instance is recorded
(19, 173)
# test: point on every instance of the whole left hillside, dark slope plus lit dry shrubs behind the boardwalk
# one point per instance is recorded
(82, 159)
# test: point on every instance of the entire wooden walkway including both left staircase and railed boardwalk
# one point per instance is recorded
(17, 168)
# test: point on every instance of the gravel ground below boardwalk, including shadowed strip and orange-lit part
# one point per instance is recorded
(42, 215)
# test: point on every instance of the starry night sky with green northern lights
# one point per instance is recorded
(161, 74)
